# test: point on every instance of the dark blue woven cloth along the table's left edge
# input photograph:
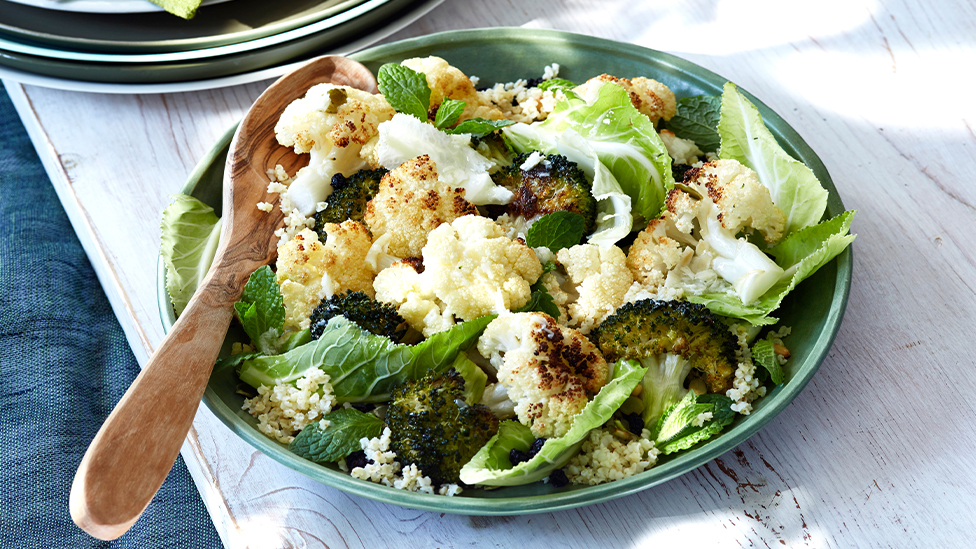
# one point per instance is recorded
(64, 363)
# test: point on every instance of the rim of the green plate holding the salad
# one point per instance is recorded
(587, 495)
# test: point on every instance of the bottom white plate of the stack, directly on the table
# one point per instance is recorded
(402, 20)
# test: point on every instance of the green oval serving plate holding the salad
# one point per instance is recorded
(814, 309)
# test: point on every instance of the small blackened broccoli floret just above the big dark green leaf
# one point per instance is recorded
(373, 316)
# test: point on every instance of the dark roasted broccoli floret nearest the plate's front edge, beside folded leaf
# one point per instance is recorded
(433, 428)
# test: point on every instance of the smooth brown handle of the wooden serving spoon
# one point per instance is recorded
(137, 445)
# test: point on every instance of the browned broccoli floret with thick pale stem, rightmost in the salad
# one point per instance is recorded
(682, 344)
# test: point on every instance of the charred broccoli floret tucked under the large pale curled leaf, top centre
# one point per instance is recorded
(551, 184)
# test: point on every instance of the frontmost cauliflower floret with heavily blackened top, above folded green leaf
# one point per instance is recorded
(550, 372)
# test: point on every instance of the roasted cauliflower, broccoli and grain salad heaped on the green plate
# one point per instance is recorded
(480, 286)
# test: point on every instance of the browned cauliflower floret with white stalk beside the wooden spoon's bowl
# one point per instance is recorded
(332, 123)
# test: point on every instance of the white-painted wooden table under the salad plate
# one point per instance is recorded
(878, 450)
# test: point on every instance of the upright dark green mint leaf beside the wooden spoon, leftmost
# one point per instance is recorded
(261, 310)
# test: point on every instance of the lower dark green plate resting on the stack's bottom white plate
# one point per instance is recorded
(206, 67)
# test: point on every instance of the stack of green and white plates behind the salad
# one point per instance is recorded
(132, 45)
